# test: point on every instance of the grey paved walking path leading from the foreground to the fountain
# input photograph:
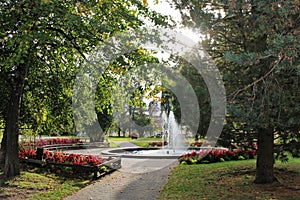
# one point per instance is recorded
(138, 179)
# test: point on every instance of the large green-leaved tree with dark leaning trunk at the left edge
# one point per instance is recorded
(40, 36)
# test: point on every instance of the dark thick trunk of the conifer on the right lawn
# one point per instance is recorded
(265, 157)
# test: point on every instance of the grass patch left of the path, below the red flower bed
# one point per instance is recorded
(42, 183)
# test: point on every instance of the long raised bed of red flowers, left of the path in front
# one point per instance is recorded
(88, 163)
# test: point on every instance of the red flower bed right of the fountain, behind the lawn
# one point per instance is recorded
(216, 155)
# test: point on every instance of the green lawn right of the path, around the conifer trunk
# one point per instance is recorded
(231, 180)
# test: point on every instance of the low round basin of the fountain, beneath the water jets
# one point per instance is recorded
(154, 153)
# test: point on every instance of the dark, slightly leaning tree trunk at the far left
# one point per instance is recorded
(12, 167)
